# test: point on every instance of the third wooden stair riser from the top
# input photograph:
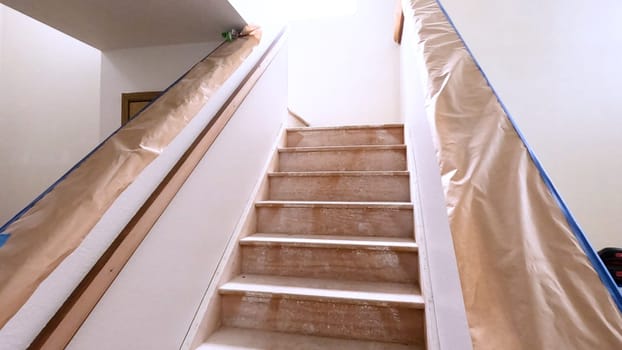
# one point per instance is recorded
(373, 186)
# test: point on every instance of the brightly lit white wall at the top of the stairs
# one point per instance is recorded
(345, 69)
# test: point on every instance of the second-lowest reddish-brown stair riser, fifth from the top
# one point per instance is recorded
(333, 263)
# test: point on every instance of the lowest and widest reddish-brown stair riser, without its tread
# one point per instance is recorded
(324, 318)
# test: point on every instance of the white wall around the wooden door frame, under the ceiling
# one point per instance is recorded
(142, 69)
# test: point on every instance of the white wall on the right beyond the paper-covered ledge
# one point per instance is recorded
(556, 65)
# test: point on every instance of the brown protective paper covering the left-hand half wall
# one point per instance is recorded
(58, 223)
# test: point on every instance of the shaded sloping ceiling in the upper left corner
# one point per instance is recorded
(117, 24)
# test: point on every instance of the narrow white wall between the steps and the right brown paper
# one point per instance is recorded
(446, 320)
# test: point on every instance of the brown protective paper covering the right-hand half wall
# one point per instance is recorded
(526, 281)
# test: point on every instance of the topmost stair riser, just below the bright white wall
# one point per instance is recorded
(389, 134)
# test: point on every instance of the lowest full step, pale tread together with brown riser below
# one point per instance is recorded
(324, 308)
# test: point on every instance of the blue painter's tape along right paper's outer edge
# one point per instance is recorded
(597, 263)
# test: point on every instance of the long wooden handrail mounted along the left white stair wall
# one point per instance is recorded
(69, 318)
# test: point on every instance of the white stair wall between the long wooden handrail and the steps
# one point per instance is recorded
(153, 301)
